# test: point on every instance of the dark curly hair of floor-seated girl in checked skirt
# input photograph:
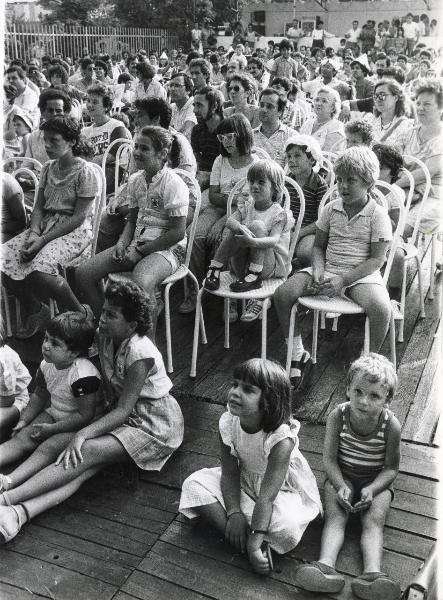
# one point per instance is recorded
(134, 302)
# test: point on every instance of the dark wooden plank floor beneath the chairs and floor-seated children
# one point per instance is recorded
(121, 537)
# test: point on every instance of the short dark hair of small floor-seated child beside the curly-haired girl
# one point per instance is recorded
(75, 329)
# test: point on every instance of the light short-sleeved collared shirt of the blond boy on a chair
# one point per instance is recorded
(349, 240)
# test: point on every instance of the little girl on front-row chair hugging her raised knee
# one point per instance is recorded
(257, 234)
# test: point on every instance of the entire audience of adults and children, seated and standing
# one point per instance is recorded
(225, 116)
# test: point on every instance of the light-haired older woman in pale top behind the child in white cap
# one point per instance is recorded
(325, 126)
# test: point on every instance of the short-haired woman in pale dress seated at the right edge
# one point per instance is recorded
(425, 142)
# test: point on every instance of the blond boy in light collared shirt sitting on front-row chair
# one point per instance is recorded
(353, 234)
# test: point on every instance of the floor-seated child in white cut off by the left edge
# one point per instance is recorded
(14, 381)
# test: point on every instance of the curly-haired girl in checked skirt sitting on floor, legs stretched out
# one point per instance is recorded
(143, 423)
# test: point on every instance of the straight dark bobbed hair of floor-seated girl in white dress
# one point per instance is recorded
(275, 399)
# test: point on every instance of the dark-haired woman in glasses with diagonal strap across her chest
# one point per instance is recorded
(389, 122)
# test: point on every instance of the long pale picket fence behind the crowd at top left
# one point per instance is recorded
(23, 40)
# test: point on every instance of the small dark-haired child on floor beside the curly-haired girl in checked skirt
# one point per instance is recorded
(67, 382)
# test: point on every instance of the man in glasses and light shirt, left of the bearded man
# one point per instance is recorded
(180, 92)
